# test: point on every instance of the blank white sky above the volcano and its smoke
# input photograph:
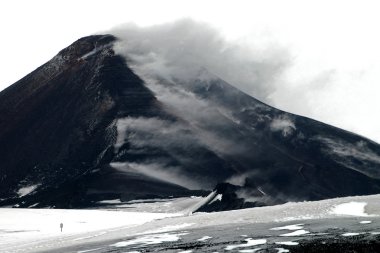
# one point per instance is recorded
(335, 45)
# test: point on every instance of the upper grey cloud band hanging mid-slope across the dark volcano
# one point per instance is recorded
(153, 132)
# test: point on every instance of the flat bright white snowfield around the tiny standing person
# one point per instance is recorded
(22, 227)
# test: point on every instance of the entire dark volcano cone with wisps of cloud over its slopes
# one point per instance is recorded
(84, 127)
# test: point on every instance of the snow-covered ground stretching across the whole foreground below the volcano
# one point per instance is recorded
(33, 230)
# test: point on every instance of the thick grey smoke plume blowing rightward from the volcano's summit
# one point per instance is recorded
(180, 49)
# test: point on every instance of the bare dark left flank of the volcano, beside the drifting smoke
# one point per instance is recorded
(57, 131)
